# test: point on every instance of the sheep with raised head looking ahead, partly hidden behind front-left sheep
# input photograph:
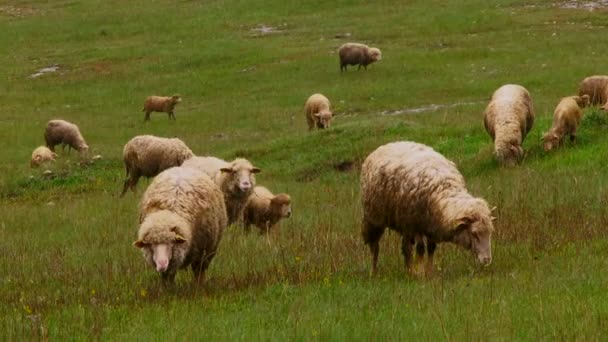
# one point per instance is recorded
(236, 180)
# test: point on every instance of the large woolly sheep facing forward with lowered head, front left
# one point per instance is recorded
(182, 219)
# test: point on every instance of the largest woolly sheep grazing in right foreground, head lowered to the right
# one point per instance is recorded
(410, 188)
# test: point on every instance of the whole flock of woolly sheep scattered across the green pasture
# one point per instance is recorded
(405, 186)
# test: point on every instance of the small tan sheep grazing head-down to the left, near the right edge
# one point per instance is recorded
(566, 117)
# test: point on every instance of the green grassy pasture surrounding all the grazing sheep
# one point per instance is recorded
(68, 270)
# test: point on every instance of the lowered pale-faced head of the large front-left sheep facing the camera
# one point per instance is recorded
(162, 241)
